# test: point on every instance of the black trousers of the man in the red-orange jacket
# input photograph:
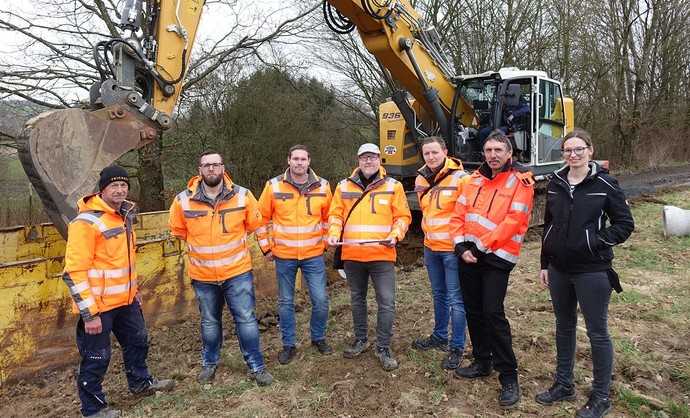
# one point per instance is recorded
(484, 289)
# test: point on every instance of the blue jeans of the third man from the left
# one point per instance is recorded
(314, 273)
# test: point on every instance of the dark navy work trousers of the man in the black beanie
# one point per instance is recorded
(127, 323)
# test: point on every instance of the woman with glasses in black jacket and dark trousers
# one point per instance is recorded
(586, 215)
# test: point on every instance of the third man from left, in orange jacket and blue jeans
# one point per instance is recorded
(294, 208)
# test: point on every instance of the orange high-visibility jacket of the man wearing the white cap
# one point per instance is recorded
(382, 214)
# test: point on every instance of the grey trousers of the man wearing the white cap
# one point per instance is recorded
(382, 275)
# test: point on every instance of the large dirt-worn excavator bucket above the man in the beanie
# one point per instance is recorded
(63, 152)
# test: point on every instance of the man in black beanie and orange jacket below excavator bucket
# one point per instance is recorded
(101, 276)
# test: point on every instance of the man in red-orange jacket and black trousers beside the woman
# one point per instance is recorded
(487, 227)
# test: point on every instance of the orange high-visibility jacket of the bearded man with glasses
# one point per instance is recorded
(215, 232)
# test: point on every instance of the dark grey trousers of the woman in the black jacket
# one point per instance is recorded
(592, 291)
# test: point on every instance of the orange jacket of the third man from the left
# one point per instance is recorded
(294, 222)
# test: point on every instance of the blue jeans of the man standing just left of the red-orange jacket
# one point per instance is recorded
(442, 267)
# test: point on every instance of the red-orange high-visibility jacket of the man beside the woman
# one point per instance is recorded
(492, 214)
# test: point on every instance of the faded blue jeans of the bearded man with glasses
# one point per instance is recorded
(238, 293)
